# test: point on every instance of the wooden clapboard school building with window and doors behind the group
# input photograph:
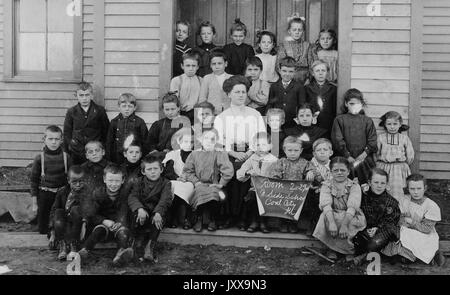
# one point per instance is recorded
(396, 51)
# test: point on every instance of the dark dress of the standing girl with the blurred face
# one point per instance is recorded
(352, 135)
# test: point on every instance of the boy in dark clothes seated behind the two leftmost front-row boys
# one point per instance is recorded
(95, 163)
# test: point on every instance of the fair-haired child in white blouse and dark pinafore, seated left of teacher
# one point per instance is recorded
(173, 170)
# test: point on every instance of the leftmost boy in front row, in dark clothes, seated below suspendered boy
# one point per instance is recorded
(65, 217)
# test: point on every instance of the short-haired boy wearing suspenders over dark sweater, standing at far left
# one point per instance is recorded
(48, 174)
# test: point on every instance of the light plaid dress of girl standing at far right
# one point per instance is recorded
(395, 154)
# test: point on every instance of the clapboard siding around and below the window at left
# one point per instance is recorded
(27, 108)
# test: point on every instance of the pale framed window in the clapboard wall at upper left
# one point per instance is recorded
(42, 41)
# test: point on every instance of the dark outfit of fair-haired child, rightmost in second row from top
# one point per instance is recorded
(328, 94)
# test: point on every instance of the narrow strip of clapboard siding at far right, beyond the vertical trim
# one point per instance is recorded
(435, 108)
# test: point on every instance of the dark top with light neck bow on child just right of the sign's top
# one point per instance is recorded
(307, 132)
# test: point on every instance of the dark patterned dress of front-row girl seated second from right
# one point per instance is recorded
(381, 211)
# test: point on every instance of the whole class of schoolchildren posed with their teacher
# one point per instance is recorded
(103, 180)
